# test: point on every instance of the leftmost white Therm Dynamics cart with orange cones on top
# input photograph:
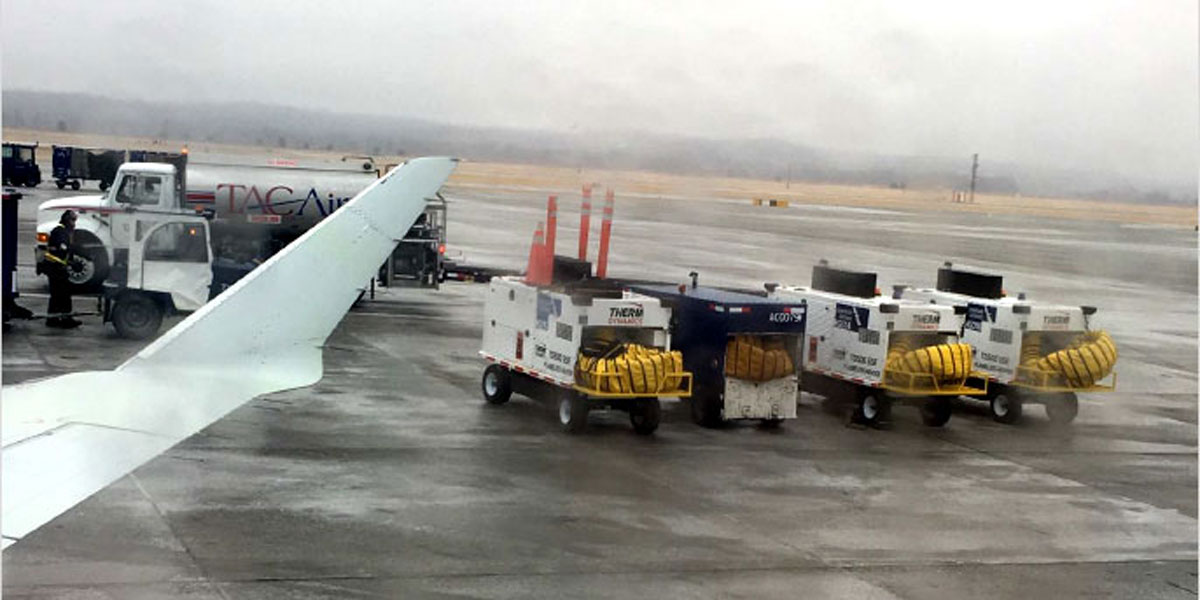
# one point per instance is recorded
(581, 340)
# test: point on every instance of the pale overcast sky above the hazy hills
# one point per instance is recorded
(1089, 85)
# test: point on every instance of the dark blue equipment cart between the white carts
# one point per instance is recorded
(742, 350)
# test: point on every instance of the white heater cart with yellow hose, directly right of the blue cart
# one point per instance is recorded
(878, 351)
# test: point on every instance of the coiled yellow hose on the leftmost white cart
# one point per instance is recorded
(631, 369)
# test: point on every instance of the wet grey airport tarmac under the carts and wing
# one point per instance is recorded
(393, 479)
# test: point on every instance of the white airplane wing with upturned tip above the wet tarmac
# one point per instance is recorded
(69, 437)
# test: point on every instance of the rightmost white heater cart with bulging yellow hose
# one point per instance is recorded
(1031, 353)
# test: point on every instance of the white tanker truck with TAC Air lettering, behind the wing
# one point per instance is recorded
(255, 209)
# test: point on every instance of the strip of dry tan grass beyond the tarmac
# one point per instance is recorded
(568, 181)
